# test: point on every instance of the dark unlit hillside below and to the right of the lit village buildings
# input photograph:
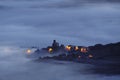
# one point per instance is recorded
(106, 58)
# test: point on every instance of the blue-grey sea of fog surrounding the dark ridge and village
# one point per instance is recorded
(26, 23)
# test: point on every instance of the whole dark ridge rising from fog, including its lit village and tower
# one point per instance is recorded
(105, 58)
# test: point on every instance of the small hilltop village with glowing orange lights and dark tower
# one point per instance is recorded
(69, 52)
